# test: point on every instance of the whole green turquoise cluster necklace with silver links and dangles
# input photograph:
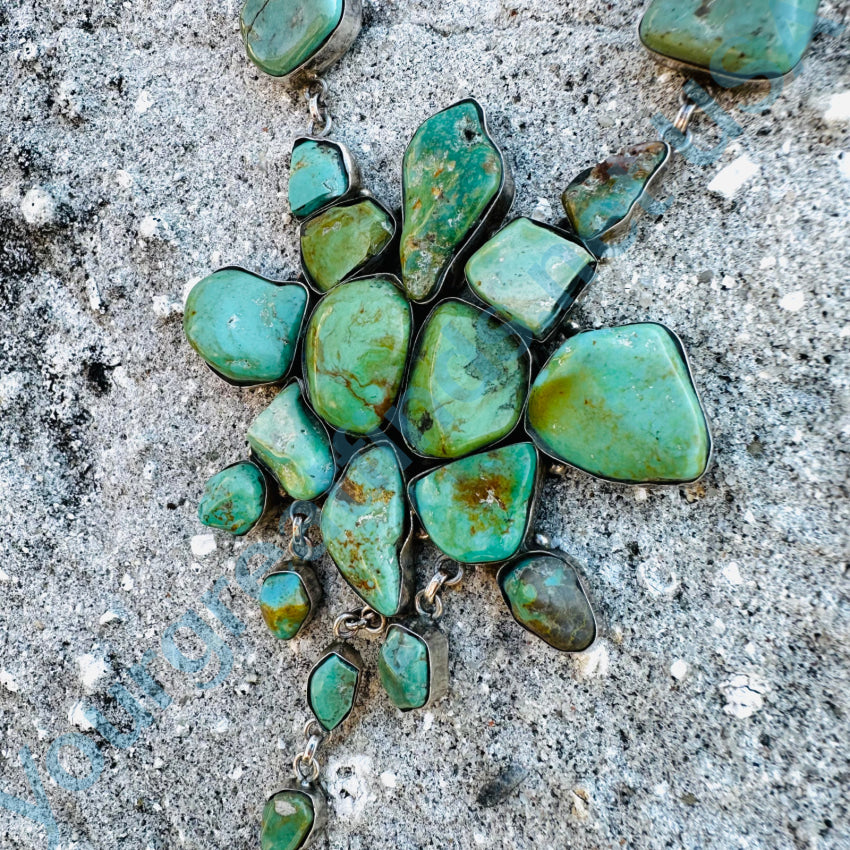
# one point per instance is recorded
(414, 402)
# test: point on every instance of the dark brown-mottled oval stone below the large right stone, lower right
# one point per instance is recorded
(545, 596)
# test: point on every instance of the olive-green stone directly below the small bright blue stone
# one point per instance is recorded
(341, 240)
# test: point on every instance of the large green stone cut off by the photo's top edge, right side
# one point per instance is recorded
(731, 38)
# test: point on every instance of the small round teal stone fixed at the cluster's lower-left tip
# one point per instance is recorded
(234, 499)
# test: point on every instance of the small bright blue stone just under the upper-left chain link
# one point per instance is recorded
(317, 176)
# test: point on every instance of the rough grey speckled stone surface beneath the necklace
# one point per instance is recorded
(140, 150)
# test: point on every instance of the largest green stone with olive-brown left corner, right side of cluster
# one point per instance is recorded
(619, 403)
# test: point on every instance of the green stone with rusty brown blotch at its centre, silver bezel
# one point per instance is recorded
(476, 509)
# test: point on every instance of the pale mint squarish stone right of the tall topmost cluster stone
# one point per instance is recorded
(529, 274)
